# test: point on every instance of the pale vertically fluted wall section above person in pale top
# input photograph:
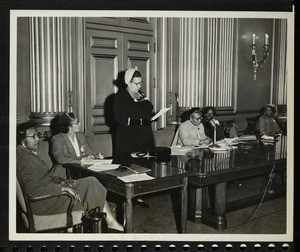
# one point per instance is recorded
(207, 47)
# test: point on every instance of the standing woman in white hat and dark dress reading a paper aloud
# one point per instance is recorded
(132, 112)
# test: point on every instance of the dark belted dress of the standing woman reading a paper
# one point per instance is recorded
(132, 138)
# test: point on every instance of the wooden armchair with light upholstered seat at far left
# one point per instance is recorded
(46, 223)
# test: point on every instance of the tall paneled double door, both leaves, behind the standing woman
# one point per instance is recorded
(107, 53)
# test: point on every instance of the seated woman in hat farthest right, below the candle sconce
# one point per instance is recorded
(267, 124)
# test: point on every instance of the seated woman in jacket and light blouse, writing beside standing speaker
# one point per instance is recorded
(70, 145)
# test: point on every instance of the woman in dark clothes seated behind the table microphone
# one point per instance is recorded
(209, 122)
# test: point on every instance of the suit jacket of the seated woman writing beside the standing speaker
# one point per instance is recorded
(63, 151)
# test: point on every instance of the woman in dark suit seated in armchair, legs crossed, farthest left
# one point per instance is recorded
(88, 191)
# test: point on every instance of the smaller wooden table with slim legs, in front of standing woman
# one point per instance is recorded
(166, 178)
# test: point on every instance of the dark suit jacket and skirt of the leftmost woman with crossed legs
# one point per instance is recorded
(38, 182)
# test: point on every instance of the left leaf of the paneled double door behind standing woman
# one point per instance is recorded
(104, 61)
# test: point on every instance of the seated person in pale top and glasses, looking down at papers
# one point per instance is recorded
(191, 132)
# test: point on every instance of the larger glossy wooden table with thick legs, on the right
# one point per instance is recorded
(216, 169)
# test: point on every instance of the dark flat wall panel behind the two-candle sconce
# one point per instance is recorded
(252, 94)
